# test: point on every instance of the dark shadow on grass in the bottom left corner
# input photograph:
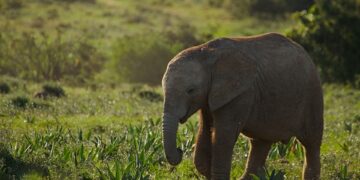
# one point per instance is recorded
(12, 168)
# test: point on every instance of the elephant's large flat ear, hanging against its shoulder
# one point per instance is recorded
(233, 74)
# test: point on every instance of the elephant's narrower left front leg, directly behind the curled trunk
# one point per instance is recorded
(202, 157)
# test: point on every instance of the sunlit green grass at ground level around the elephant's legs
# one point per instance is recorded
(116, 134)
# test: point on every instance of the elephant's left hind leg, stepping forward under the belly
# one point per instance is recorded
(259, 150)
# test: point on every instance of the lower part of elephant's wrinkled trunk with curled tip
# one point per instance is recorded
(170, 127)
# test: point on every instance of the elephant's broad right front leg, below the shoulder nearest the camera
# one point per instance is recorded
(223, 141)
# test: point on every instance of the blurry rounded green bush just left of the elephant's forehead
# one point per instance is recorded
(143, 58)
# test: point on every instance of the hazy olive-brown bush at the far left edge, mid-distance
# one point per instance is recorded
(40, 58)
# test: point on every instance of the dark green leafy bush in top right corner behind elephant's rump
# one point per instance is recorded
(330, 32)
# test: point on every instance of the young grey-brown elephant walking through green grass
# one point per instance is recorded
(265, 87)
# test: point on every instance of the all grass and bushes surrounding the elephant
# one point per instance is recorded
(79, 83)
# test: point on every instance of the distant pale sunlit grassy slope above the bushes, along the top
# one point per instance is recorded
(107, 20)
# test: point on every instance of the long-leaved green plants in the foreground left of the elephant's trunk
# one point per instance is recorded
(109, 158)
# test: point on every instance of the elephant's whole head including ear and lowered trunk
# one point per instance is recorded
(201, 77)
